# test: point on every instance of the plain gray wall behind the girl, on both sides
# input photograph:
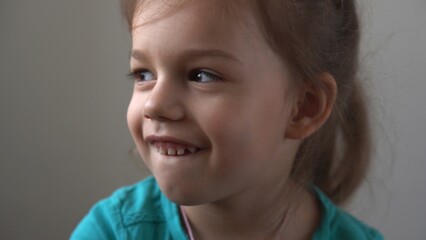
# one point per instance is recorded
(64, 143)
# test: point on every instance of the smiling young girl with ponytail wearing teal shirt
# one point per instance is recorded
(250, 117)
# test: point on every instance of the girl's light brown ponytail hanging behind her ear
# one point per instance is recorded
(344, 159)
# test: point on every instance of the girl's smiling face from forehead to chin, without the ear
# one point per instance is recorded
(210, 109)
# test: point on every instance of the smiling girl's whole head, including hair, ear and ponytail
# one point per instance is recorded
(238, 95)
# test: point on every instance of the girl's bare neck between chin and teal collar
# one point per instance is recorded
(266, 214)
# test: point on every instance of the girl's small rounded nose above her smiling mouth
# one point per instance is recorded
(164, 103)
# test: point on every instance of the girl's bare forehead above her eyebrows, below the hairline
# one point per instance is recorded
(200, 22)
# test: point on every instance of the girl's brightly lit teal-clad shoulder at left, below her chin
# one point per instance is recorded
(132, 212)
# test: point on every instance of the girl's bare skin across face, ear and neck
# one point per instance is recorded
(206, 78)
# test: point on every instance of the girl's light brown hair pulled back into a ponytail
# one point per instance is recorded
(313, 37)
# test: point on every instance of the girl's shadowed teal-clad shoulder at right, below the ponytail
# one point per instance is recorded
(336, 223)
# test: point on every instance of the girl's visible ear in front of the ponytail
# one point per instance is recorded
(313, 107)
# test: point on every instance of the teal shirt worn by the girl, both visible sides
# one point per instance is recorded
(141, 211)
